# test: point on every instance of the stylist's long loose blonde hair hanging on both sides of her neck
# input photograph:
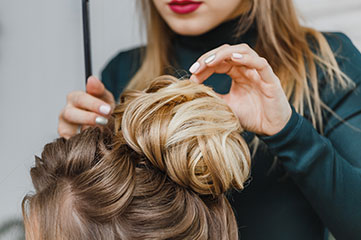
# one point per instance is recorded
(282, 41)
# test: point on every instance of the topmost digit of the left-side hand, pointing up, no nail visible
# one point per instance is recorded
(96, 88)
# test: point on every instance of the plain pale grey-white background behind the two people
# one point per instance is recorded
(41, 60)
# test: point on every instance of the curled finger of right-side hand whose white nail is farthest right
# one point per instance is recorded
(260, 64)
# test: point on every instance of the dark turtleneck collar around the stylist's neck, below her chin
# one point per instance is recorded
(222, 34)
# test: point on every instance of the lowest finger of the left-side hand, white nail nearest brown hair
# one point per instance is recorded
(77, 117)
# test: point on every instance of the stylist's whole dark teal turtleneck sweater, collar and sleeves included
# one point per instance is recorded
(316, 183)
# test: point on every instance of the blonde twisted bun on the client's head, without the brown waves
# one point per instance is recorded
(185, 130)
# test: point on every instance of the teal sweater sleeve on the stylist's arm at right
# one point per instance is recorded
(327, 168)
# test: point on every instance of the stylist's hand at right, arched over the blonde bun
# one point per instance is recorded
(256, 95)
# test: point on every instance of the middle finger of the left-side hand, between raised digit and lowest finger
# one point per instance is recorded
(88, 102)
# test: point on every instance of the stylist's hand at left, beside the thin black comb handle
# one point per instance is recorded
(86, 108)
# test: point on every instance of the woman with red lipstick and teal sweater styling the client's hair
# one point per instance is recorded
(296, 91)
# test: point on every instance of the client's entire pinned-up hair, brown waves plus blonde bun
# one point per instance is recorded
(159, 170)
